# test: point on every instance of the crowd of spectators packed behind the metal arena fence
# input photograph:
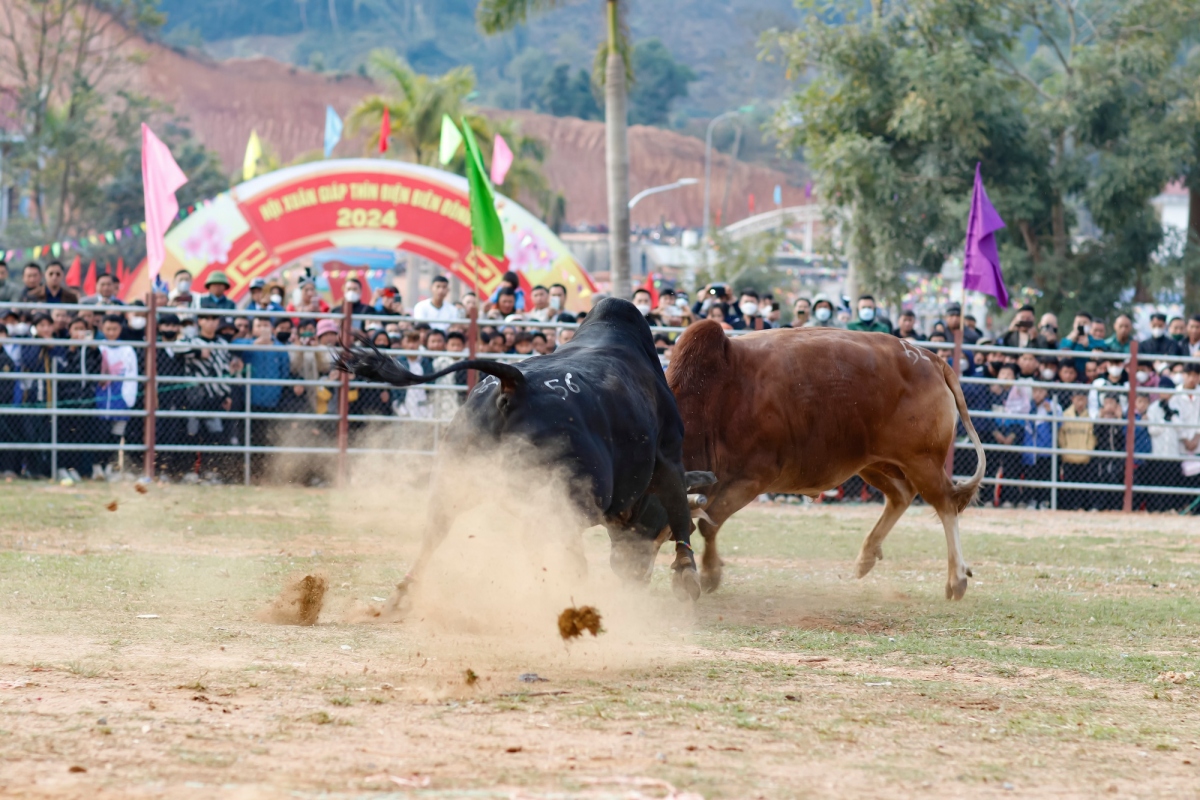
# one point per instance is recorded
(205, 336)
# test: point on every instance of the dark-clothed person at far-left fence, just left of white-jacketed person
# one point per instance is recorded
(79, 366)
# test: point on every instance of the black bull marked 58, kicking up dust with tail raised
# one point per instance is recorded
(598, 407)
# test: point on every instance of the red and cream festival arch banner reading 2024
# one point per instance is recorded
(273, 220)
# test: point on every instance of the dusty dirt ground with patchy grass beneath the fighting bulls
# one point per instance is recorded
(135, 661)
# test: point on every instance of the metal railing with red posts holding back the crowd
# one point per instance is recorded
(335, 420)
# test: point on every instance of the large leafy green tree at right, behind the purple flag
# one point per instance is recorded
(1072, 112)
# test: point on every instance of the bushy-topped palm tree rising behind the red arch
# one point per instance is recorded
(416, 106)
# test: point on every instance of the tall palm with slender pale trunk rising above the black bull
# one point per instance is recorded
(496, 16)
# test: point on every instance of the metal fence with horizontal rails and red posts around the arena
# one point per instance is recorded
(65, 416)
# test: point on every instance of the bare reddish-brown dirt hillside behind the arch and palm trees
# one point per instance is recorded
(227, 100)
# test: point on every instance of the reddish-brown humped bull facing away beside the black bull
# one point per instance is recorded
(800, 412)
